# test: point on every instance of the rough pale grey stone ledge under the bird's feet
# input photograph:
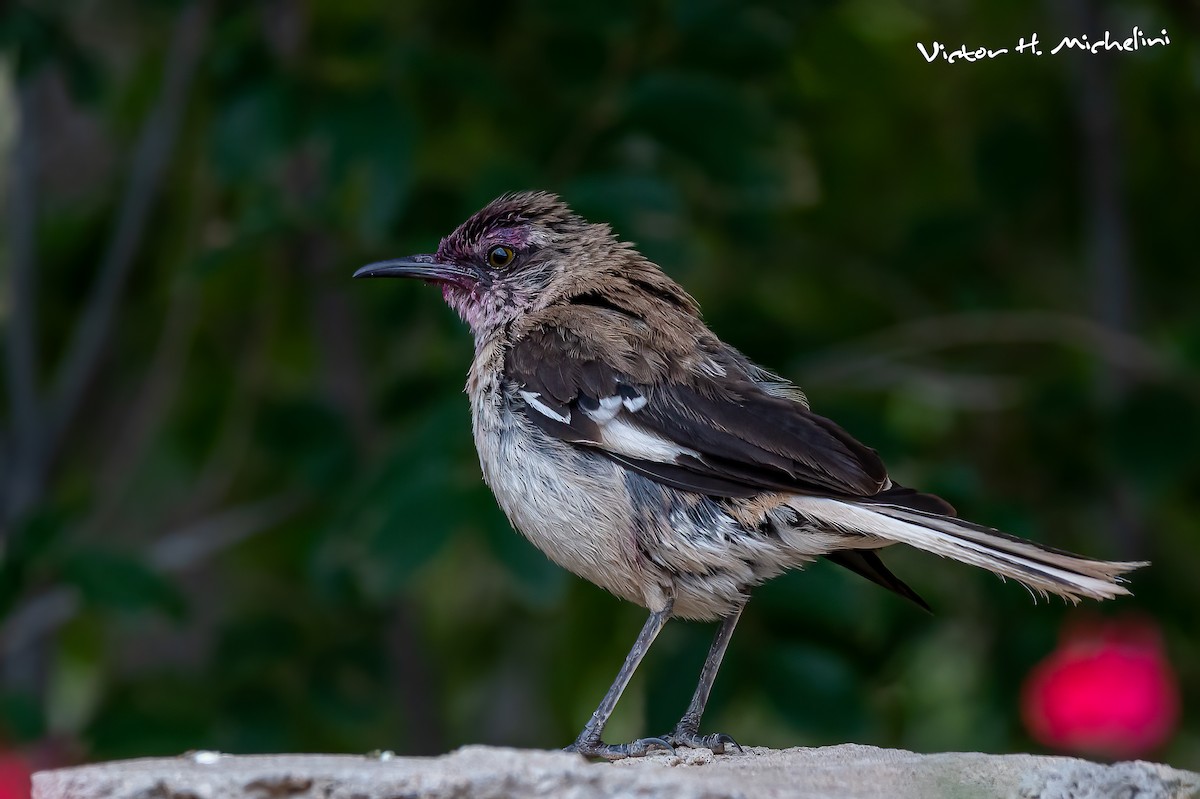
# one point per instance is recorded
(848, 772)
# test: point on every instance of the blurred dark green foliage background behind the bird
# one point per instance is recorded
(259, 525)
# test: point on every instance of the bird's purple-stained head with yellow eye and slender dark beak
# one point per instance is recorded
(511, 259)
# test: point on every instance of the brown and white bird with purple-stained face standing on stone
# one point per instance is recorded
(641, 453)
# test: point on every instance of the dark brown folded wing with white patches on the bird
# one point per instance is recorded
(695, 420)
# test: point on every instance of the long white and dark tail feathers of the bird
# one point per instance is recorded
(1042, 569)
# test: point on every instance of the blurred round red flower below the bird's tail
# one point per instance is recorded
(1108, 692)
